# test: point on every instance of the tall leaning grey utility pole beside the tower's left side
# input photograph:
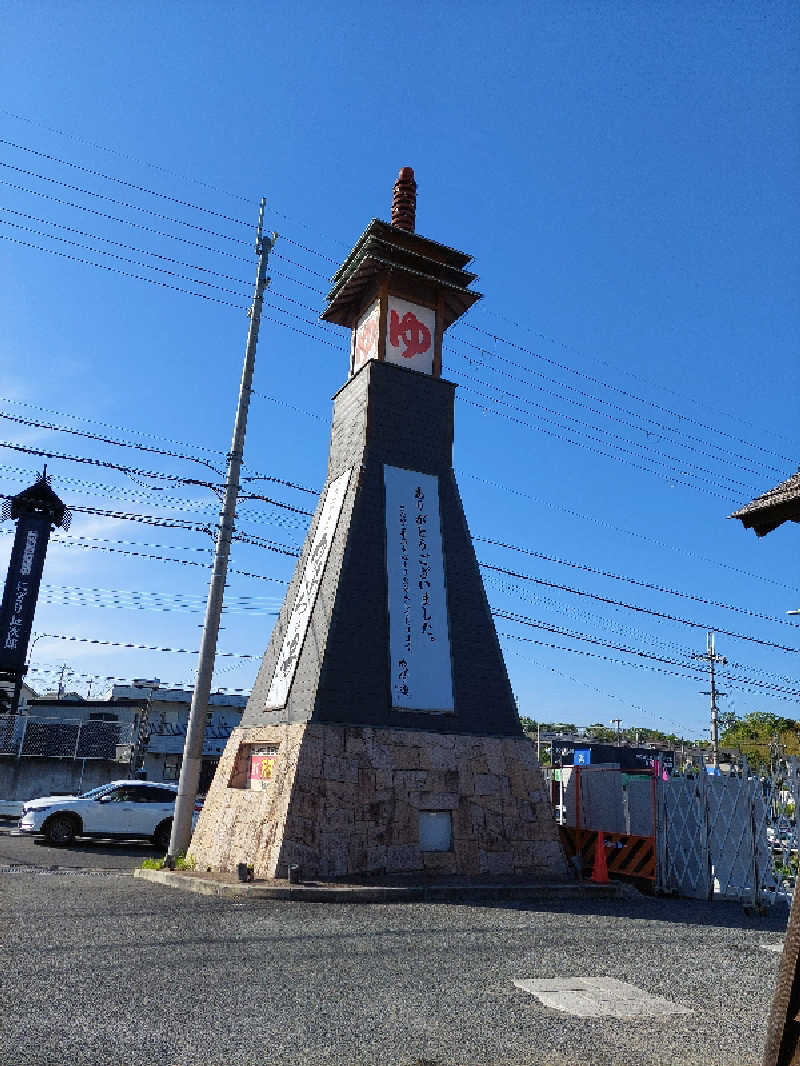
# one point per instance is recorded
(182, 828)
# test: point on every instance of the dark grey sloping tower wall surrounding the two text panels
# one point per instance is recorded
(388, 415)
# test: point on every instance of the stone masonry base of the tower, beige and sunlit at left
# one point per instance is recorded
(345, 802)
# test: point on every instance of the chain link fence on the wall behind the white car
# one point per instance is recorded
(23, 735)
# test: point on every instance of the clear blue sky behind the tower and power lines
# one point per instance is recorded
(626, 176)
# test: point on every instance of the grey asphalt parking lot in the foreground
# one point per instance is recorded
(102, 968)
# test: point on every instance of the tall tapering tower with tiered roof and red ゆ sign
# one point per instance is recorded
(382, 736)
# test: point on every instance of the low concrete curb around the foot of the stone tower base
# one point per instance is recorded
(382, 894)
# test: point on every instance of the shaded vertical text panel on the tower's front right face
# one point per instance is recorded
(420, 639)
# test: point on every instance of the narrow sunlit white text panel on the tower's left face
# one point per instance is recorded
(301, 612)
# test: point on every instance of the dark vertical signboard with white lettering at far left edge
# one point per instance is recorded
(22, 590)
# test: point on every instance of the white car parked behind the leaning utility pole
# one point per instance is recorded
(123, 810)
